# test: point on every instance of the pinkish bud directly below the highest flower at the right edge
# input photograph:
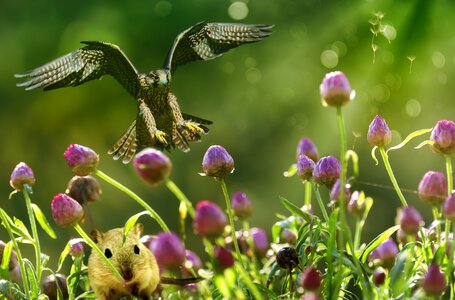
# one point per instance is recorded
(433, 188)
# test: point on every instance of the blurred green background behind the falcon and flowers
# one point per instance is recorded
(262, 98)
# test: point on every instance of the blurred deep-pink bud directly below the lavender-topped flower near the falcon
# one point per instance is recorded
(209, 220)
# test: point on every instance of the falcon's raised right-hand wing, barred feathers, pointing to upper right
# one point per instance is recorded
(205, 41)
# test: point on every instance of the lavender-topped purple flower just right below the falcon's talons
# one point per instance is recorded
(217, 162)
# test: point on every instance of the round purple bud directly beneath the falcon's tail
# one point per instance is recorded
(152, 165)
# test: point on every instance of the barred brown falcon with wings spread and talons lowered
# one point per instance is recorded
(159, 122)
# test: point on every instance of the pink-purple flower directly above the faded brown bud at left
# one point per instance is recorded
(82, 160)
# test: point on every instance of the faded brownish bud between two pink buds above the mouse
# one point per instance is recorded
(84, 189)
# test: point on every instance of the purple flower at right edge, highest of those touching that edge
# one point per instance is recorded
(443, 136)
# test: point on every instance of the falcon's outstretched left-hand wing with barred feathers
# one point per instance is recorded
(82, 65)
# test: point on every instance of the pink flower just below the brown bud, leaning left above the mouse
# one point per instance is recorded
(66, 211)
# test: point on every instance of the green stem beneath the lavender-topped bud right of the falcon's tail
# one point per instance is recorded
(239, 265)
